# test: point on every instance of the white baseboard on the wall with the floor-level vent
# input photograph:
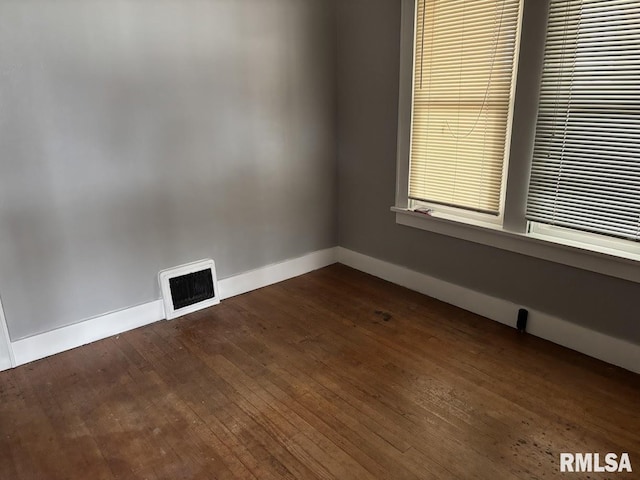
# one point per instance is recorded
(55, 341)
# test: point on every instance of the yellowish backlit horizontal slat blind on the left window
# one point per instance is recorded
(462, 92)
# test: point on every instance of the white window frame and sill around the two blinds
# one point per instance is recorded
(513, 233)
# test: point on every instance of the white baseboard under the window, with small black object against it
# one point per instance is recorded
(590, 342)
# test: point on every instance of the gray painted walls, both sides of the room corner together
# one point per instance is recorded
(137, 135)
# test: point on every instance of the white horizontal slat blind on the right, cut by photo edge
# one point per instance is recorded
(586, 162)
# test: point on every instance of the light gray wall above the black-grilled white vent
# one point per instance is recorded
(137, 135)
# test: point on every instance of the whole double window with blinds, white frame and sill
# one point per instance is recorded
(548, 164)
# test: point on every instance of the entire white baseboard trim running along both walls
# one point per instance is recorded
(595, 344)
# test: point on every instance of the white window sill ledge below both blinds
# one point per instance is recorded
(605, 261)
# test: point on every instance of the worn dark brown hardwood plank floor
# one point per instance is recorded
(332, 375)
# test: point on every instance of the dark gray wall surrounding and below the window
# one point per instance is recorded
(368, 62)
